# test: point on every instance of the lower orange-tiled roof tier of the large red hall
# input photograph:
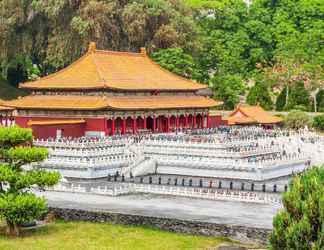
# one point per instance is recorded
(74, 102)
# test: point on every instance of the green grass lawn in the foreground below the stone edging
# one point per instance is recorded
(86, 235)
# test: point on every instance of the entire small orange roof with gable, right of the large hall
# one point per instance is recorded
(252, 114)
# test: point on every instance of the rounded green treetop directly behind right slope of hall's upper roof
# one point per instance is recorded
(175, 60)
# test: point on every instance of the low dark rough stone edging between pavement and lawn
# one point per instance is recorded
(241, 233)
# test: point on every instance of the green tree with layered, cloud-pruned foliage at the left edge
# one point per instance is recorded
(18, 204)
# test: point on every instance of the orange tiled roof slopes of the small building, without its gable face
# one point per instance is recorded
(257, 113)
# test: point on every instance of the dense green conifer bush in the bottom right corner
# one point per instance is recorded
(300, 225)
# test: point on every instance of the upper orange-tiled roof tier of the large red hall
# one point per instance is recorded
(114, 70)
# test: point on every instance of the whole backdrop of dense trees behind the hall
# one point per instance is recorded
(279, 42)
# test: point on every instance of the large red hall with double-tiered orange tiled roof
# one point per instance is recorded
(106, 92)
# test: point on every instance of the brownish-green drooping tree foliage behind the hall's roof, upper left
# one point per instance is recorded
(115, 24)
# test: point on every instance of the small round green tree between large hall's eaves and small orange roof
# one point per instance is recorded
(228, 88)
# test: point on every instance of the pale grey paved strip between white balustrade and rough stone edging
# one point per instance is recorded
(223, 212)
